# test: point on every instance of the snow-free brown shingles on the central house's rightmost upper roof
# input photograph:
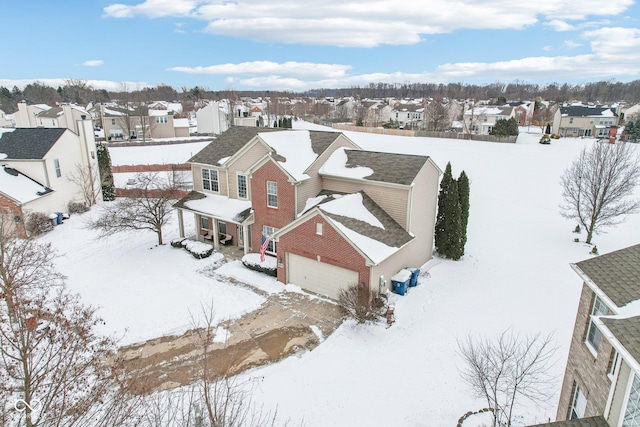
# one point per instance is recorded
(387, 167)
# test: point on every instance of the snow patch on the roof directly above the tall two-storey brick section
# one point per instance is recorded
(295, 147)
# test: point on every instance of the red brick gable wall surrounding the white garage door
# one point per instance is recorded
(331, 247)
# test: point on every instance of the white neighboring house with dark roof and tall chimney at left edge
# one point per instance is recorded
(38, 164)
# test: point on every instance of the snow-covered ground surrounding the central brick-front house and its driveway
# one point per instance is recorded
(515, 274)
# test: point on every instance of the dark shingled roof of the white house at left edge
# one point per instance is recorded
(29, 143)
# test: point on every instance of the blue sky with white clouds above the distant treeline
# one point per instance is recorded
(304, 44)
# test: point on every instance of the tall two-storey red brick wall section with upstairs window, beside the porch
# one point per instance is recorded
(265, 215)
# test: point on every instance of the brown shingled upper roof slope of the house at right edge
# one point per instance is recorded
(617, 274)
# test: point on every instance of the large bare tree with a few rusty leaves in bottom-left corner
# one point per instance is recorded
(54, 369)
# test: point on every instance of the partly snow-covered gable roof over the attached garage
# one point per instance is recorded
(361, 220)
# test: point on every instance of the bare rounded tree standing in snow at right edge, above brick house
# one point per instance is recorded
(598, 186)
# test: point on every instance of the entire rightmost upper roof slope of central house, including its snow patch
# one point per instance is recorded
(374, 166)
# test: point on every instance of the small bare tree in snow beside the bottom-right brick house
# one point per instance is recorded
(503, 371)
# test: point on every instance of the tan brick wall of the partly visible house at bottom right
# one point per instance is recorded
(583, 369)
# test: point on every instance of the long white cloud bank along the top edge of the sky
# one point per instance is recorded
(365, 23)
